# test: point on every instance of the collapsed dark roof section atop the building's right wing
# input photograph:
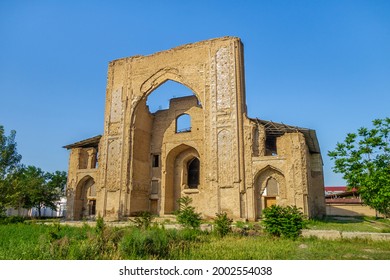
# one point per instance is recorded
(278, 129)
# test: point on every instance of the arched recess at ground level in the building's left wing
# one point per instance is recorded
(85, 200)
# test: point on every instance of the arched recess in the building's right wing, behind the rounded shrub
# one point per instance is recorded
(270, 188)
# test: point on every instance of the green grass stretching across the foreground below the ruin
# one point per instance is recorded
(29, 241)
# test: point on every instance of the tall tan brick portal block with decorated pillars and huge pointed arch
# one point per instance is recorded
(213, 71)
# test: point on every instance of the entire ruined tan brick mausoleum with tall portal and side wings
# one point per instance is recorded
(225, 161)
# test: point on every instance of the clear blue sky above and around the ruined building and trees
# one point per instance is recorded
(323, 65)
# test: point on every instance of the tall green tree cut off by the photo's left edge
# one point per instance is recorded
(9, 165)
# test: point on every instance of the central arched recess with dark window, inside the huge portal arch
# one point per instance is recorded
(182, 174)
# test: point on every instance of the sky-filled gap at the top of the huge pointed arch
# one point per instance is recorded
(159, 98)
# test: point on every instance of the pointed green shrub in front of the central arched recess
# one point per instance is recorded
(186, 215)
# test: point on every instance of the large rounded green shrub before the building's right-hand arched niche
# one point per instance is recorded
(283, 221)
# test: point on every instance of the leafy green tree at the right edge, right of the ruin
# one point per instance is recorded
(364, 160)
